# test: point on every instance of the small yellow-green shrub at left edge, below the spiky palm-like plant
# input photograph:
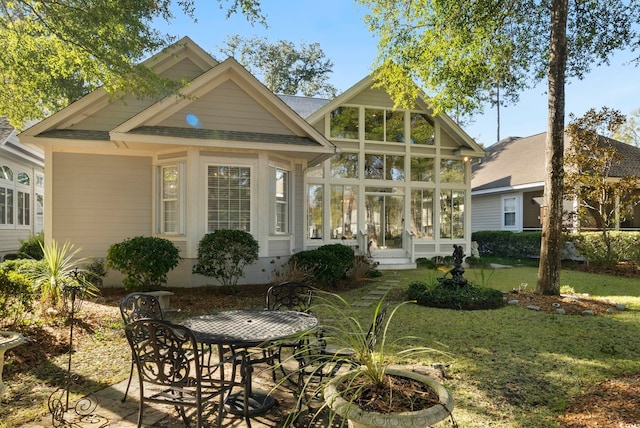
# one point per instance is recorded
(16, 296)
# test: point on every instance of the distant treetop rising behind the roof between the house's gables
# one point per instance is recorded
(282, 67)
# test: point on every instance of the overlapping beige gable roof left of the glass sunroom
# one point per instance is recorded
(155, 123)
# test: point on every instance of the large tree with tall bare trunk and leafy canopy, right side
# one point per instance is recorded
(457, 51)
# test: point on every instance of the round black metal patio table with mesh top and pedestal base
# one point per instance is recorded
(247, 329)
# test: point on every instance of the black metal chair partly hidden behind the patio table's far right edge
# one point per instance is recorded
(289, 296)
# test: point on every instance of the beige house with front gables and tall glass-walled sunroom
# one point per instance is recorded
(227, 153)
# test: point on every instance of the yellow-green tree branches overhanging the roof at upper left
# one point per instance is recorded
(54, 52)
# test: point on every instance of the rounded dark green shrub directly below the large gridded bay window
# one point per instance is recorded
(224, 253)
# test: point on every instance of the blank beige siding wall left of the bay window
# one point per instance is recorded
(100, 200)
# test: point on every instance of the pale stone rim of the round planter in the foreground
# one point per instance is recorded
(358, 418)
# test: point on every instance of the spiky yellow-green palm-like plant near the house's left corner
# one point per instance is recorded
(59, 269)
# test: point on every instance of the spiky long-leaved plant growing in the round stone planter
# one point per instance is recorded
(365, 347)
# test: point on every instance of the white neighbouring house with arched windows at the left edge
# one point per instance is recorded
(21, 190)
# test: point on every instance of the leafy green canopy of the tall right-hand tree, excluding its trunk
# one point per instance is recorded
(458, 51)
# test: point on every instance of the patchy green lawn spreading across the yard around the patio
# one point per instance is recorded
(508, 367)
